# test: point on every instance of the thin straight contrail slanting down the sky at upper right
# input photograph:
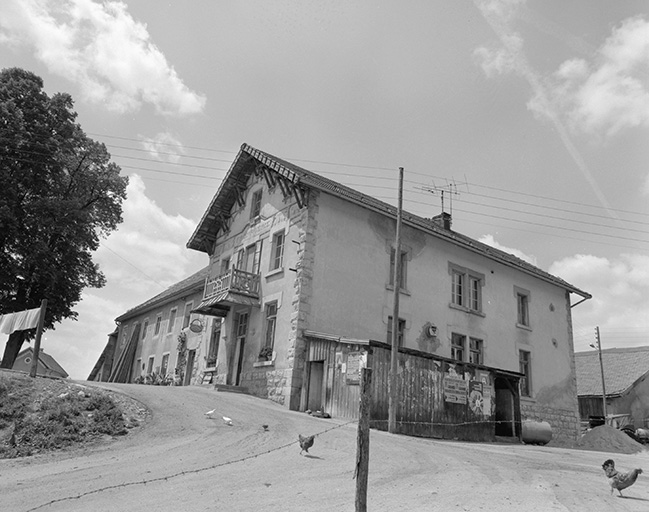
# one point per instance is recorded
(494, 12)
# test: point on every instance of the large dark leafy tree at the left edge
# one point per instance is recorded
(59, 195)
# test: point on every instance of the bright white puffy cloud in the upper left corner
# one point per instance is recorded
(102, 49)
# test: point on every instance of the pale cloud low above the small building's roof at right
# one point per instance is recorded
(620, 290)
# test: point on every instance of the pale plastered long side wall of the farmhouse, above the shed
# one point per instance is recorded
(352, 297)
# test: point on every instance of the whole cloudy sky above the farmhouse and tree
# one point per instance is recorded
(528, 119)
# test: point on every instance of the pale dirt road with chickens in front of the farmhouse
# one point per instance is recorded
(183, 461)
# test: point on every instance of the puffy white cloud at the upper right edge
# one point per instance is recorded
(611, 92)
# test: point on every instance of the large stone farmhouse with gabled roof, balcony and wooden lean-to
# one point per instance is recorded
(299, 293)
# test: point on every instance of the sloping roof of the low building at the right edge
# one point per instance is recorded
(622, 368)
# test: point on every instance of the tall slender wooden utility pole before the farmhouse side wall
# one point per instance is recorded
(394, 353)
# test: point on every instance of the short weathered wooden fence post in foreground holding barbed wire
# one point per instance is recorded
(363, 441)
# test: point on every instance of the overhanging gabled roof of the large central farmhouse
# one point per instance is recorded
(249, 158)
